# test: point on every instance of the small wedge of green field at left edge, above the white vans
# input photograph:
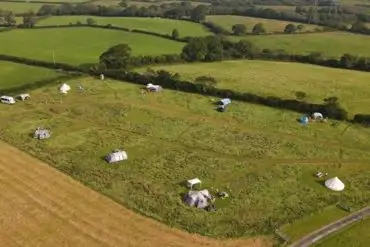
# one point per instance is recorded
(14, 75)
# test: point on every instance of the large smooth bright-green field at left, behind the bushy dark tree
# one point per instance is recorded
(80, 45)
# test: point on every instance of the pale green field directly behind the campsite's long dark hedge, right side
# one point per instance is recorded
(284, 80)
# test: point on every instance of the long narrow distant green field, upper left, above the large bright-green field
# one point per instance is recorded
(158, 25)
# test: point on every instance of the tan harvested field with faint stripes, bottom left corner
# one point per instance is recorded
(42, 207)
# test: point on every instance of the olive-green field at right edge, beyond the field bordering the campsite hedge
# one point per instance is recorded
(315, 42)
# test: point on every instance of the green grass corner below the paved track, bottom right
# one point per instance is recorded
(357, 235)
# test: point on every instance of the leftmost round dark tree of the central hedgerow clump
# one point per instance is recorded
(195, 50)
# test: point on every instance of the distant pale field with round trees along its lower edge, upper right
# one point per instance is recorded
(227, 21)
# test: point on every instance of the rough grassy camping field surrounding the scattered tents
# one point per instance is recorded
(259, 155)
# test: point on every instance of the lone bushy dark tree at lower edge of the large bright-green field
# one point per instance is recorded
(116, 57)
